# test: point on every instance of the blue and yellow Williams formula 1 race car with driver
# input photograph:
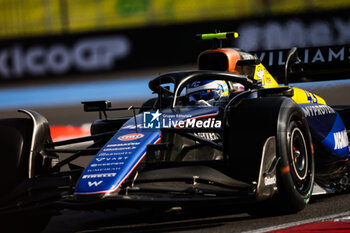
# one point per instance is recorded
(260, 144)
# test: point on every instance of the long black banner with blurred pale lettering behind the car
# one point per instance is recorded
(133, 49)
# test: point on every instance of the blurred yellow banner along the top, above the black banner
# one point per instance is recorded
(20, 18)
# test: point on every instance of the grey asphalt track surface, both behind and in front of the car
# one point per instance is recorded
(229, 219)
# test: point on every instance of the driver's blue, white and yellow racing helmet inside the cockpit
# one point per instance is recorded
(206, 90)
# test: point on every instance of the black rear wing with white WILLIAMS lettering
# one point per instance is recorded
(317, 63)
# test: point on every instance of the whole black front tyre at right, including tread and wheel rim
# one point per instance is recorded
(249, 125)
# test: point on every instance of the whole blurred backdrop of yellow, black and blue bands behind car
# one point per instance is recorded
(56, 53)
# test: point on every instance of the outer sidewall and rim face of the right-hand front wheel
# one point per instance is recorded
(295, 174)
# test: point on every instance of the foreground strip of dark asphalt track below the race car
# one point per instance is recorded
(229, 219)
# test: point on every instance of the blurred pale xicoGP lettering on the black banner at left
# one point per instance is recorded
(97, 53)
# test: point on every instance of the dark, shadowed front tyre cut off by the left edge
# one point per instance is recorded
(15, 141)
